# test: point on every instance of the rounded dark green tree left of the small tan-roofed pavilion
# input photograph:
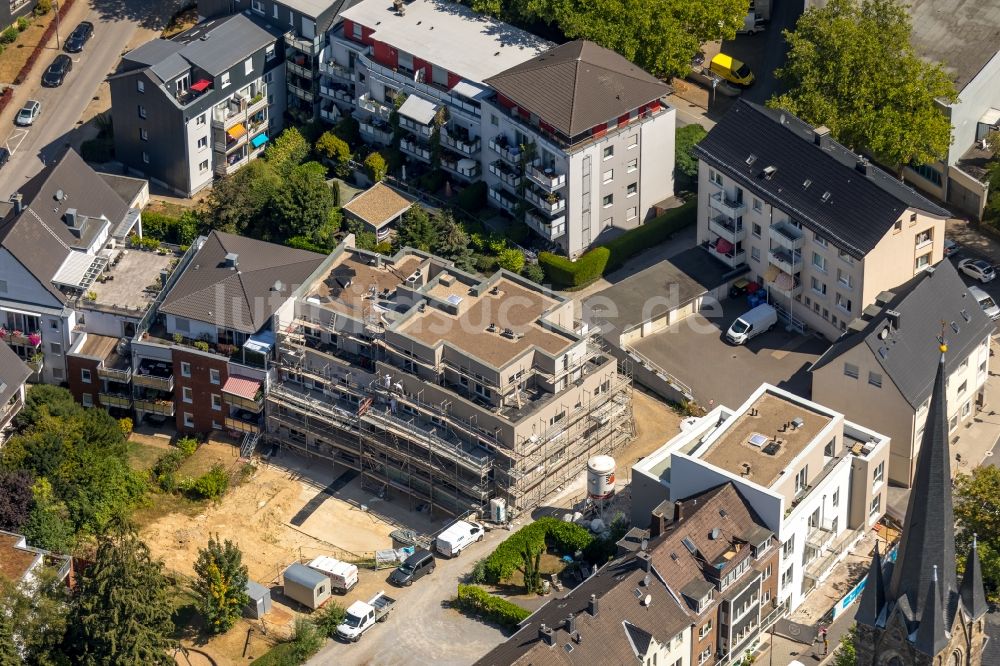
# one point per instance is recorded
(302, 204)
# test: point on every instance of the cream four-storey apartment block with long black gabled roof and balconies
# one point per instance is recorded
(824, 231)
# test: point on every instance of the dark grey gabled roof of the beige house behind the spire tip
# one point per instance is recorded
(907, 355)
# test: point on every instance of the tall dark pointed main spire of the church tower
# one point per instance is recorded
(928, 541)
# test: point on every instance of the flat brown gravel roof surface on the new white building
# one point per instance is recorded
(760, 441)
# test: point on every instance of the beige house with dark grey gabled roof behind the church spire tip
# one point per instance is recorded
(881, 371)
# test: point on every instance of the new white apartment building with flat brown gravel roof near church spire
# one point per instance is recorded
(817, 480)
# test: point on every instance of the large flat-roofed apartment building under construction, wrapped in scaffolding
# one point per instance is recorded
(441, 388)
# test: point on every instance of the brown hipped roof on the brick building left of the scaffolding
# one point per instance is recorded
(246, 294)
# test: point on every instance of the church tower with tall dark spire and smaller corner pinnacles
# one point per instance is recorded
(913, 612)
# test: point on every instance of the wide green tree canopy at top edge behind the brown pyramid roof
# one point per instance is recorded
(660, 36)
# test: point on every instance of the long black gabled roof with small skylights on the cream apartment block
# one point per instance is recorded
(859, 210)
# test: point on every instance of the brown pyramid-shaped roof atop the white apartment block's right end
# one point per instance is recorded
(578, 85)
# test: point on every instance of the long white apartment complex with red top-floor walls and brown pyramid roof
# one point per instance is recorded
(474, 98)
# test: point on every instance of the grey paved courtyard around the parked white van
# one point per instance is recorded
(694, 351)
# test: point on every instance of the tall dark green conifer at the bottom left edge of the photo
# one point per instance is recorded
(121, 614)
